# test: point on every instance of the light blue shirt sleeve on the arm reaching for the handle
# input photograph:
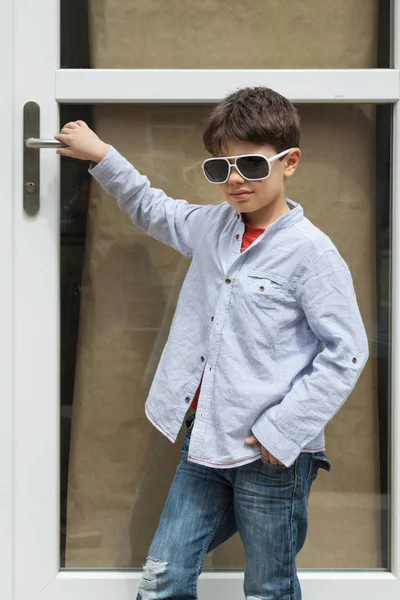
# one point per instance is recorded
(173, 222)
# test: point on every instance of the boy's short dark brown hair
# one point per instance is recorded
(257, 115)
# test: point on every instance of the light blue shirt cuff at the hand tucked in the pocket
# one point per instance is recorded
(274, 441)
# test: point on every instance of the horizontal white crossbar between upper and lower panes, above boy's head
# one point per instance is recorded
(202, 86)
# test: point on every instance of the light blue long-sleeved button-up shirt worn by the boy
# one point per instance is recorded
(276, 329)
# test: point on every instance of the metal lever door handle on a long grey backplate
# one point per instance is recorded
(32, 143)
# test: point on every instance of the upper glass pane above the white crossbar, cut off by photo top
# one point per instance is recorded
(250, 34)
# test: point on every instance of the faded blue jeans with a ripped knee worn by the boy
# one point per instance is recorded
(267, 504)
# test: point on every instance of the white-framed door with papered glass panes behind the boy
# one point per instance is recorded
(78, 505)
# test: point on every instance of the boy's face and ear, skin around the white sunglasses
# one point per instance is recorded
(251, 196)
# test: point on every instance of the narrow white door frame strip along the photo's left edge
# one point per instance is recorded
(6, 304)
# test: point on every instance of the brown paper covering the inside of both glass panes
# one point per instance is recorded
(120, 467)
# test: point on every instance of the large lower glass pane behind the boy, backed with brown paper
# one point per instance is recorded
(119, 291)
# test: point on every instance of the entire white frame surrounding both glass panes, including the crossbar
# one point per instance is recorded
(29, 313)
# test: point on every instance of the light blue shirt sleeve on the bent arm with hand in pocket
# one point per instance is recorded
(329, 303)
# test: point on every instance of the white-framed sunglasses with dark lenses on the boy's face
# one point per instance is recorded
(253, 167)
